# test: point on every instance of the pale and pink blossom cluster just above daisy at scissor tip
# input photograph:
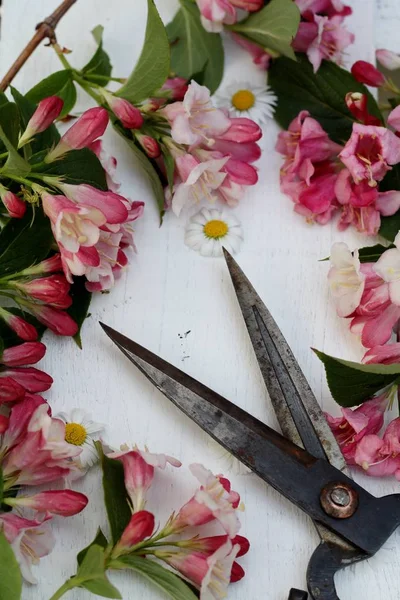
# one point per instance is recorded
(213, 153)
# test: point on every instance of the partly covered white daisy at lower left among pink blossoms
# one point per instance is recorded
(81, 431)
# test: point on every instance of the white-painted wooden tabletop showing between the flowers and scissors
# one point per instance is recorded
(169, 290)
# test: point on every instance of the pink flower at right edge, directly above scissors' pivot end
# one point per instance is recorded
(381, 457)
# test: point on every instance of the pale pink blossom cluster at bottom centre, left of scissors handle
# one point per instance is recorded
(208, 562)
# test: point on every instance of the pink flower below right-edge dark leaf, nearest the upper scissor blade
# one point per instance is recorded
(354, 425)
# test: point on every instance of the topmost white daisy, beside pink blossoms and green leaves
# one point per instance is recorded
(243, 99)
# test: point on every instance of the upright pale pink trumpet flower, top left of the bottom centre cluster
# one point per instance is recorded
(139, 472)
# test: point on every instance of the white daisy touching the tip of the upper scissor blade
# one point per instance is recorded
(209, 230)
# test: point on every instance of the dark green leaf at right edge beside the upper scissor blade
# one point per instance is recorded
(352, 383)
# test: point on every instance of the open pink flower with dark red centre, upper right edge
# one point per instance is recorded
(369, 152)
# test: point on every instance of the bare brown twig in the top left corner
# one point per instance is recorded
(45, 29)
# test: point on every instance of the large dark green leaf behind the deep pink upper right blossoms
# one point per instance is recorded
(322, 94)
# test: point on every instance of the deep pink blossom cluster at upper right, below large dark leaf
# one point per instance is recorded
(323, 178)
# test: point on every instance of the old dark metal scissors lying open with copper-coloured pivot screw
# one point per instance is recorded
(304, 464)
